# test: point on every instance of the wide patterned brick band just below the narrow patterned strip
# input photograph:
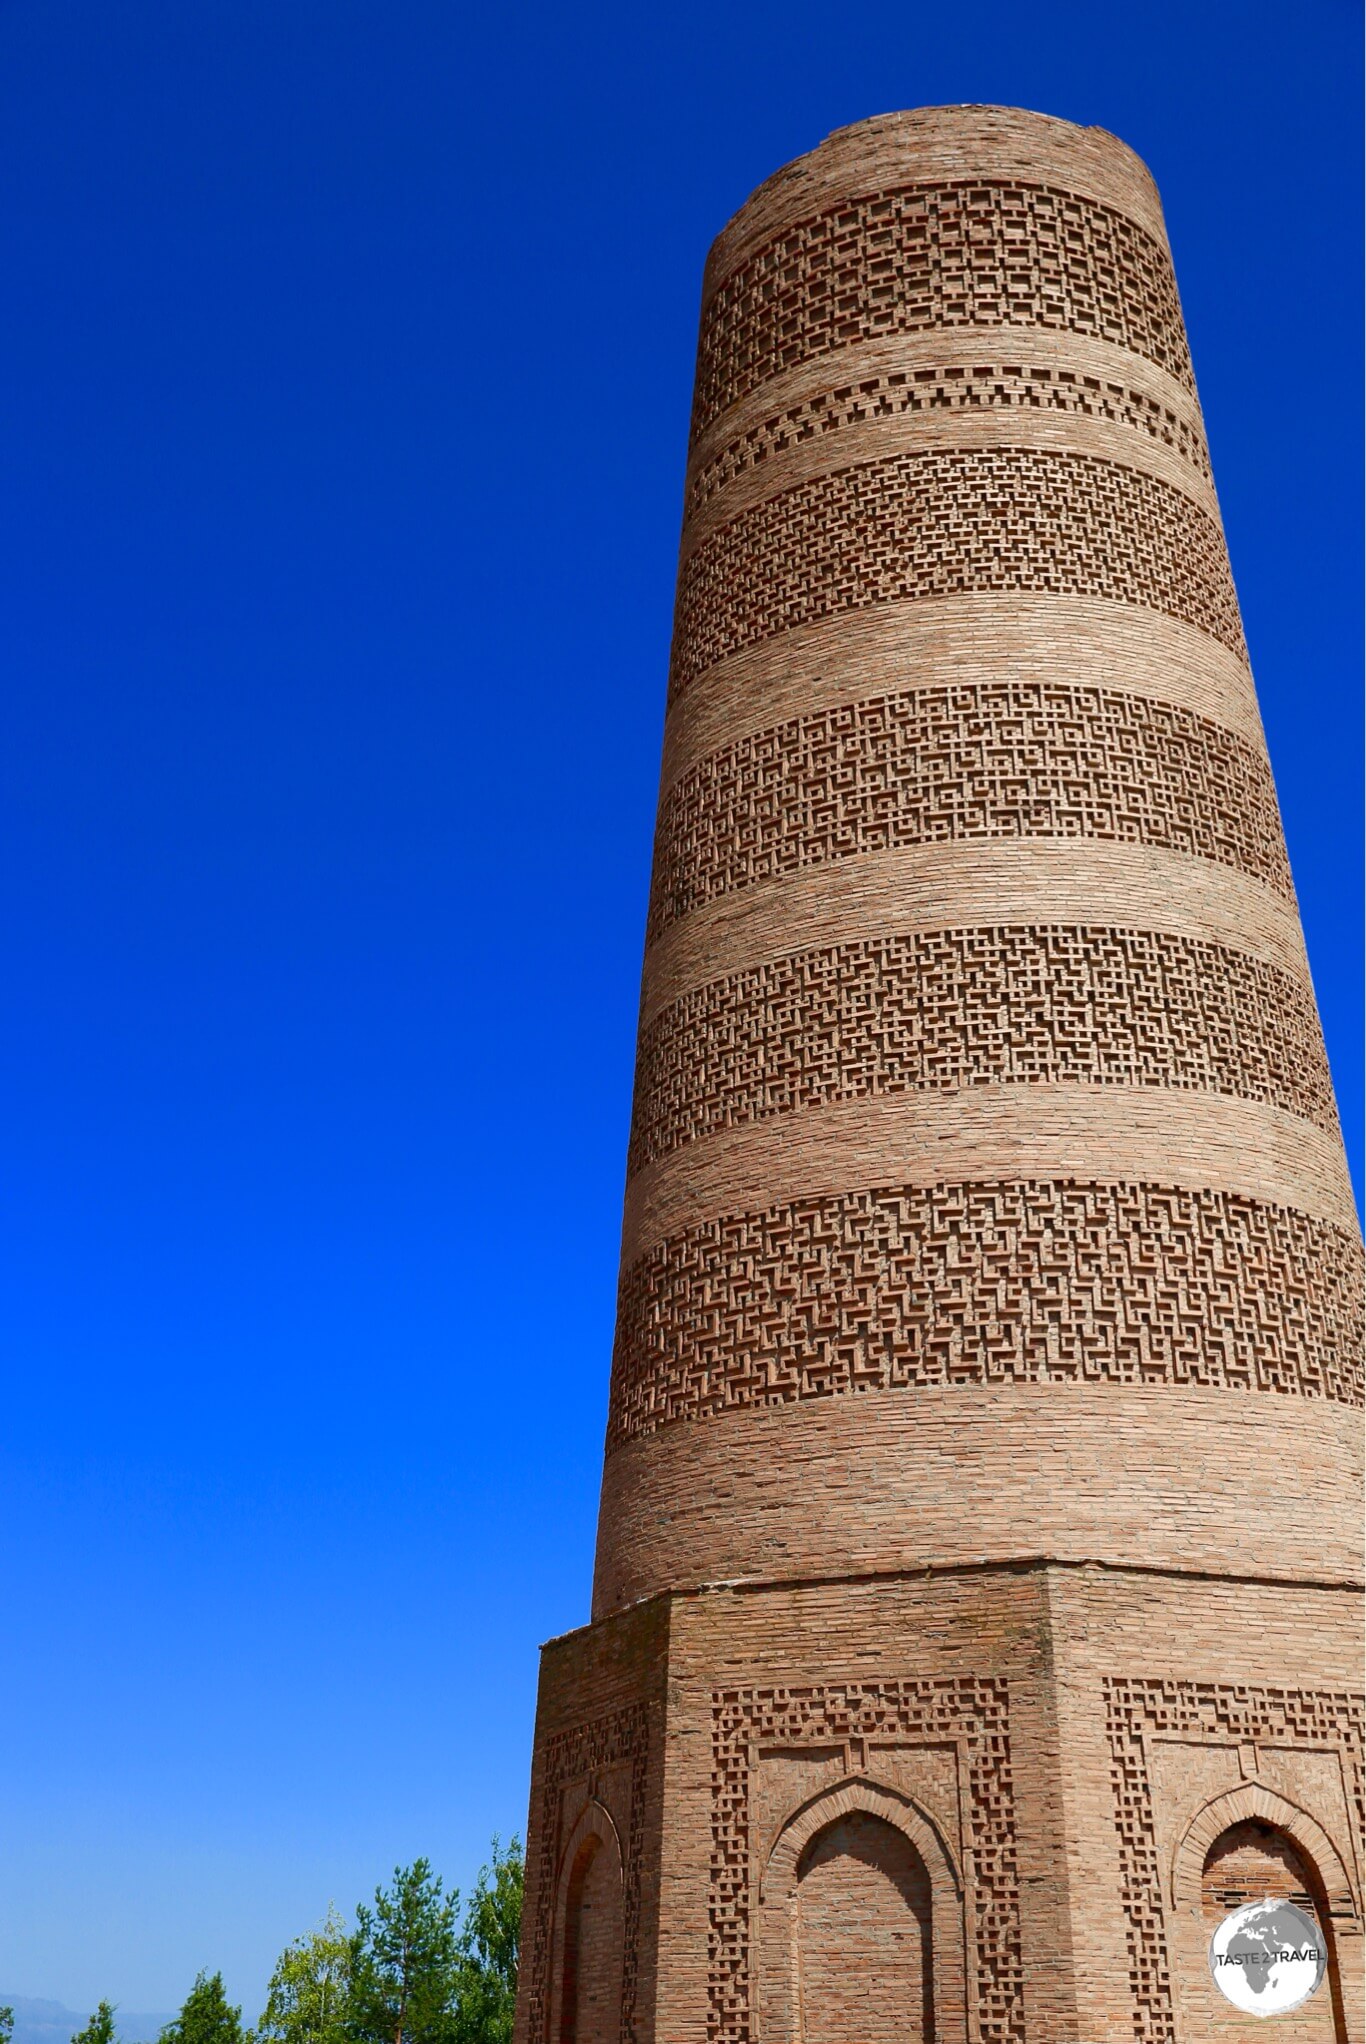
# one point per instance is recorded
(946, 524)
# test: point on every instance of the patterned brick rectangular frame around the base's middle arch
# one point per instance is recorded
(968, 1710)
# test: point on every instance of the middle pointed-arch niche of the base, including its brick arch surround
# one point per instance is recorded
(862, 1924)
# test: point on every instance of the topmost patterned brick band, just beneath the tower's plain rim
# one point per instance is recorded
(960, 254)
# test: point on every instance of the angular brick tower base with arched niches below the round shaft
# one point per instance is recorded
(987, 1806)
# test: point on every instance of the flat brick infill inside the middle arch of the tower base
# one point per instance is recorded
(864, 1937)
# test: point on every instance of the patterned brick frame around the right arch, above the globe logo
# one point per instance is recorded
(1236, 1714)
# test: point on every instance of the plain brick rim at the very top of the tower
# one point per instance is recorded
(942, 144)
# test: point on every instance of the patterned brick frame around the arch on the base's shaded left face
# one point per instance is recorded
(567, 1759)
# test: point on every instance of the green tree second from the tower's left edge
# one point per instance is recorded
(406, 1963)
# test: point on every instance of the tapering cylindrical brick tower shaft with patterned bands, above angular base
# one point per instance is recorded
(985, 1174)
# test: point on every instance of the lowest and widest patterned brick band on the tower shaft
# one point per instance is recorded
(987, 1285)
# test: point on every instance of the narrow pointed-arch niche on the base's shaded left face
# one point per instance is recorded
(590, 1935)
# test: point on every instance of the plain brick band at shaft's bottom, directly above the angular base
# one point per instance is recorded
(946, 1475)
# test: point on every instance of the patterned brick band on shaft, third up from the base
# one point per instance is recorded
(1013, 759)
